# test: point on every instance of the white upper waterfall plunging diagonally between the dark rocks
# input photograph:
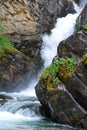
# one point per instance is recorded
(64, 27)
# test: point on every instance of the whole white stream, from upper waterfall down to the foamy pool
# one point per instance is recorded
(21, 111)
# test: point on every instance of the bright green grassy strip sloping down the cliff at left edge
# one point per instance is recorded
(5, 44)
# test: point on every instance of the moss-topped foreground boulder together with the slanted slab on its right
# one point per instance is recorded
(65, 100)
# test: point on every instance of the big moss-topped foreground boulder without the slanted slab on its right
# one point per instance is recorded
(58, 103)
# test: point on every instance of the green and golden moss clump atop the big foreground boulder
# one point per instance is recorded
(58, 72)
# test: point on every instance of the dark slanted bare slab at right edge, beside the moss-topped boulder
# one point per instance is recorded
(77, 85)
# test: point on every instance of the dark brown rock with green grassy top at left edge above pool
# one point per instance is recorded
(13, 65)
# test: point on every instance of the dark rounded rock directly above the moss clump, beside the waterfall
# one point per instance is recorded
(74, 45)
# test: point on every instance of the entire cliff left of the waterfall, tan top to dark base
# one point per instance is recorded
(24, 23)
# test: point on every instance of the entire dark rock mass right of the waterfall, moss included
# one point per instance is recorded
(62, 88)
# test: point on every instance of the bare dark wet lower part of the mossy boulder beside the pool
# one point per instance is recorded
(60, 106)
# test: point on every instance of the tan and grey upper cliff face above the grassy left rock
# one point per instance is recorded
(27, 20)
